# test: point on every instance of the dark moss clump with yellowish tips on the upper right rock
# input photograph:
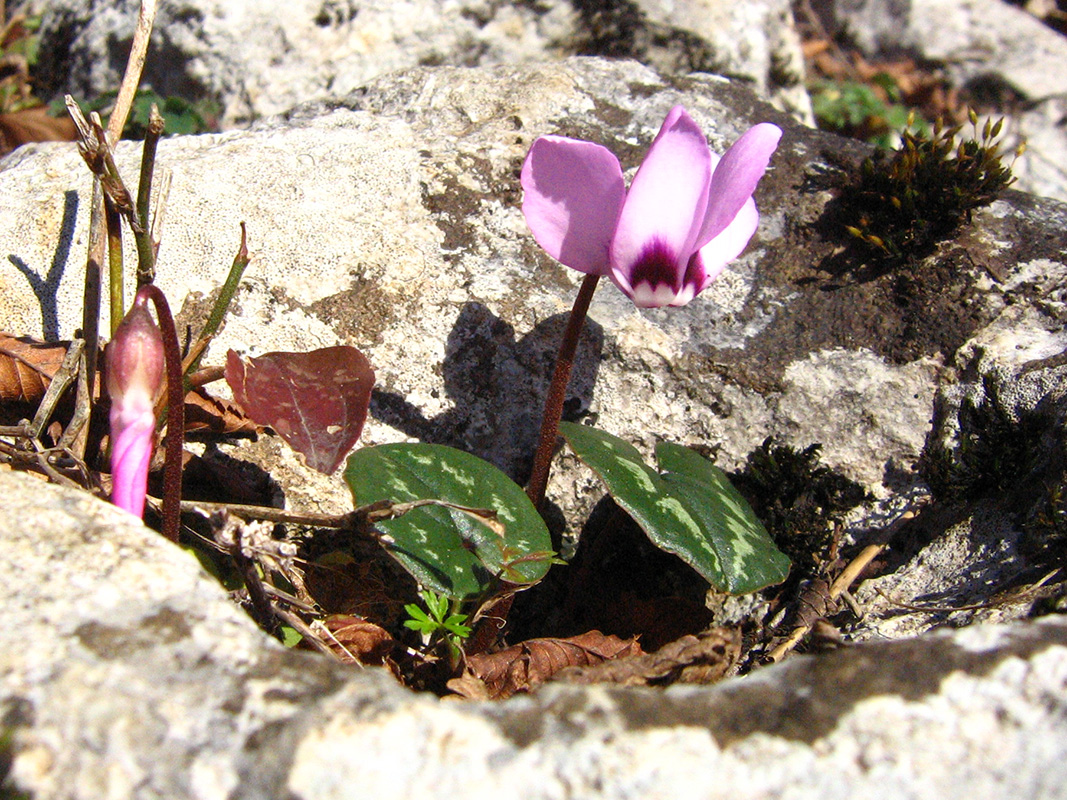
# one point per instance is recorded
(907, 200)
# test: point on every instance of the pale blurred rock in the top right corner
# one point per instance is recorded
(997, 52)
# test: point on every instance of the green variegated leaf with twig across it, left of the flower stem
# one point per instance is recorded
(447, 550)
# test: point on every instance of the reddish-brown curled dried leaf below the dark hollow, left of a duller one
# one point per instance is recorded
(527, 666)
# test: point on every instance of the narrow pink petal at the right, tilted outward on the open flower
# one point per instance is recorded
(736, 178)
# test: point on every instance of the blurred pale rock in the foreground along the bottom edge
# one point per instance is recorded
(125, 673)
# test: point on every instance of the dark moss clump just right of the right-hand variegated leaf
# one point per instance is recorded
(800, 501)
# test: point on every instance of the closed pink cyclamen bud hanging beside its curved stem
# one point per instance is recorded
(135, 369)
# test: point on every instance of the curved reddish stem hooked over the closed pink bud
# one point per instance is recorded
(176, 412)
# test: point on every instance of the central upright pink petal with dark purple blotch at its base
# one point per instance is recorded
(666, 205)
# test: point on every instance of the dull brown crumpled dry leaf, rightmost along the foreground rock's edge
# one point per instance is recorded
(705, 659)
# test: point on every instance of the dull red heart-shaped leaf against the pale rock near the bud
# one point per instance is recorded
(316, 402)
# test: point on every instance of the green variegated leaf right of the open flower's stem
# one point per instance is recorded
(691, 509)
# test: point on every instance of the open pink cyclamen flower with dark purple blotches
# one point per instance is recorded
(688, 214)
